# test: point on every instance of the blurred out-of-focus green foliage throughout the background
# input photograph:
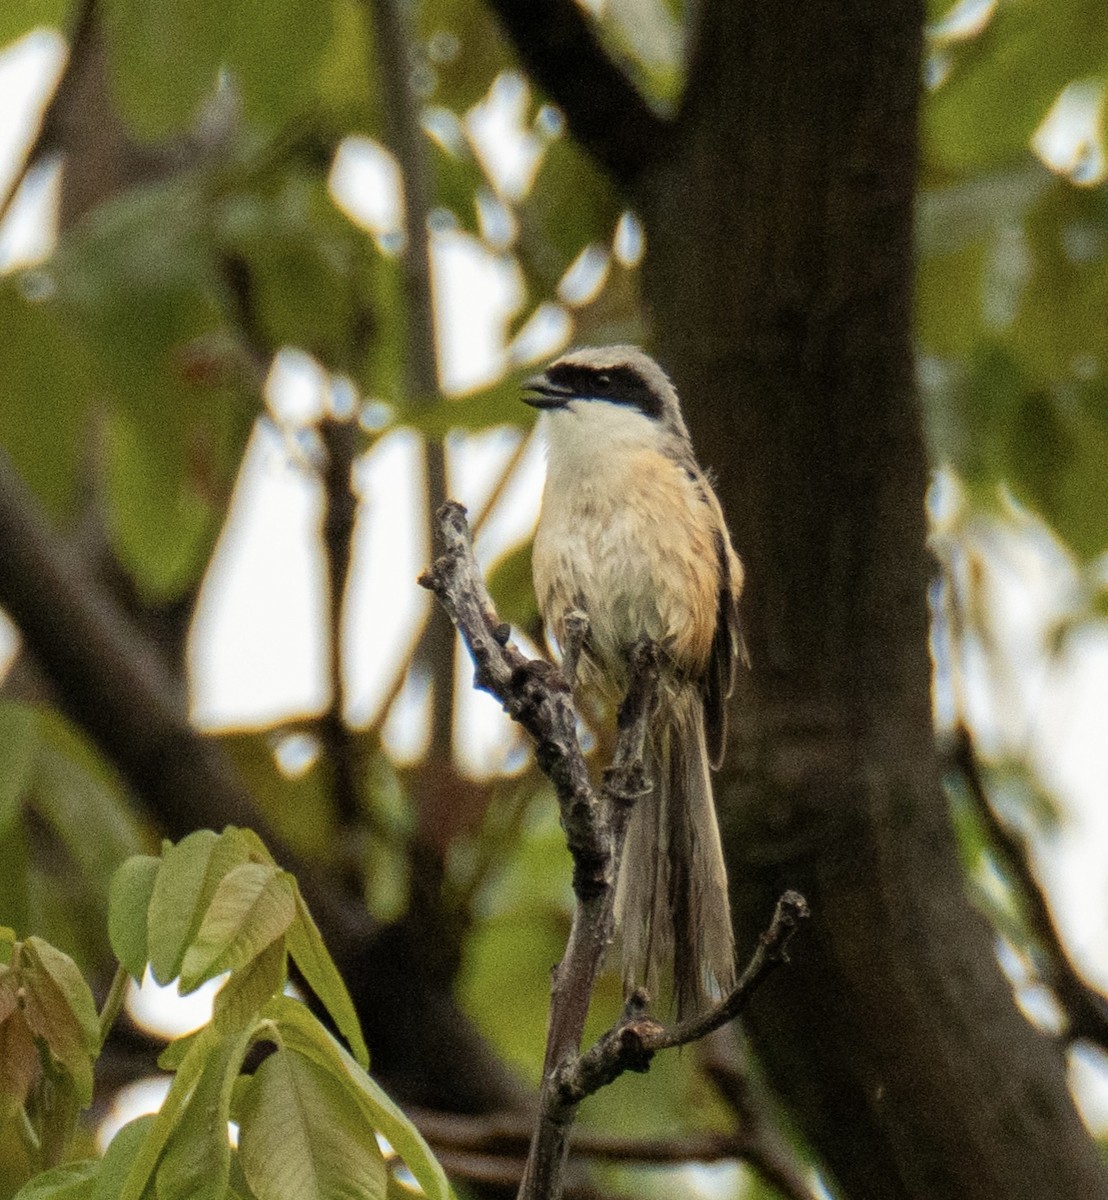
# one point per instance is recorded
(134, 367)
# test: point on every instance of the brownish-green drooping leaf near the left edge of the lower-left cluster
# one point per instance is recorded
(61, 1010)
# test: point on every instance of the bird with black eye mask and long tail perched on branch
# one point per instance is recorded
(632, 535)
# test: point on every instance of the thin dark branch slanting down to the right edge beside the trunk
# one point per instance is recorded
(1086, 1007)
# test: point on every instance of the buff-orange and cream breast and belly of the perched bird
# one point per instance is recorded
(636, 548)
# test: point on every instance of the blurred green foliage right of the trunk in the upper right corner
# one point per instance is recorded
(1013, 283)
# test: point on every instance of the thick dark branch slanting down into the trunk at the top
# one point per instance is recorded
(559, 49)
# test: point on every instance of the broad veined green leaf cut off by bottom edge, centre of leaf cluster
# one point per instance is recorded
(302, 1137)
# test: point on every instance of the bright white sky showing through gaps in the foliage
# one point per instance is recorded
(256, 657)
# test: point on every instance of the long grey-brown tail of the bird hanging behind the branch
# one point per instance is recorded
(672, 897)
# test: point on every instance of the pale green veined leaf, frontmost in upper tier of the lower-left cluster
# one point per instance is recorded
(253, 907)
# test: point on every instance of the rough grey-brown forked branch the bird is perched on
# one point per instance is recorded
(540, 697)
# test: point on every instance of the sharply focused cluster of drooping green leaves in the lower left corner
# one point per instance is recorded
(310, 1119)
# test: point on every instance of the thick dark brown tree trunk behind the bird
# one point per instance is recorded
(780, 279)
